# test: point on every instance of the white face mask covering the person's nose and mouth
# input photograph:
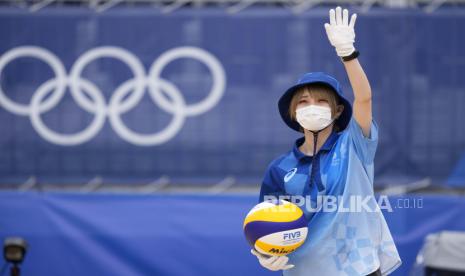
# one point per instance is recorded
(314, 117)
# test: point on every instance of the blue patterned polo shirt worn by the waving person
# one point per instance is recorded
(355, 242)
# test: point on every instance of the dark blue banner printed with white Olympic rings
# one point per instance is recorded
(132, 95)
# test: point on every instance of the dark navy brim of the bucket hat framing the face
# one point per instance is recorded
(285, 102)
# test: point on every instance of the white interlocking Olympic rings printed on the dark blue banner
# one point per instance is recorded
(125, 97)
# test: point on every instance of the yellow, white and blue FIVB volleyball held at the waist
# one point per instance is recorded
(275, 229)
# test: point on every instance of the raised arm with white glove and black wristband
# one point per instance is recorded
(341, 35)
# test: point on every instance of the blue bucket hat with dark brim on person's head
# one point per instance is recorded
(317, 78)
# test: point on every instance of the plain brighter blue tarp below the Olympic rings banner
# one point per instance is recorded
(177, 235)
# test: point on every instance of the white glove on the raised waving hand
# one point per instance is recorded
(340, 32)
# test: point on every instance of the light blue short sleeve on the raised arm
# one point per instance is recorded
(365, 147)
